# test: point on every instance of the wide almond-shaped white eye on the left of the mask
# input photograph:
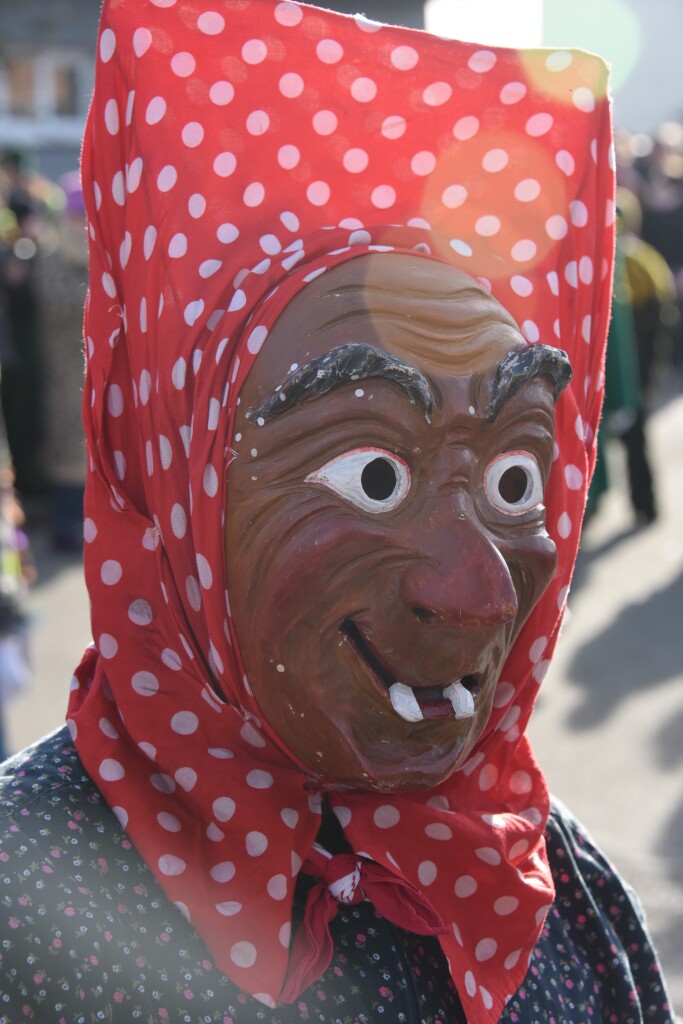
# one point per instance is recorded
(373, 480)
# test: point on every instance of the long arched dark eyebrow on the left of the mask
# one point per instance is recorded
(344, 365)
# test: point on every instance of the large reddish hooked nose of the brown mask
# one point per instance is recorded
(460, 579)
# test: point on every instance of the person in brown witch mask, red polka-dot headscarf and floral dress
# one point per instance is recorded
(331, 395)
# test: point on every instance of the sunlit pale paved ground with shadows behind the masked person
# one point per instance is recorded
(609, 729)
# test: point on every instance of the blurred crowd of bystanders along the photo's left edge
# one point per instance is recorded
(44, 280)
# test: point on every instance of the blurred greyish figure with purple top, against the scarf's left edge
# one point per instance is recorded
(61, 286)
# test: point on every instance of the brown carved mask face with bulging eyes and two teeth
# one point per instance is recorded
(386, 527)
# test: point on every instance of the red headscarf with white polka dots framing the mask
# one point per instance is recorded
(234, 152)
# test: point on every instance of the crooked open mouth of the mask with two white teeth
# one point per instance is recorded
(415, 704)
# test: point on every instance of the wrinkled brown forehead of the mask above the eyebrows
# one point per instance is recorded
(417, 309)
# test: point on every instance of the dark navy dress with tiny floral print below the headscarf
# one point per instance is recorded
(88, 935)
